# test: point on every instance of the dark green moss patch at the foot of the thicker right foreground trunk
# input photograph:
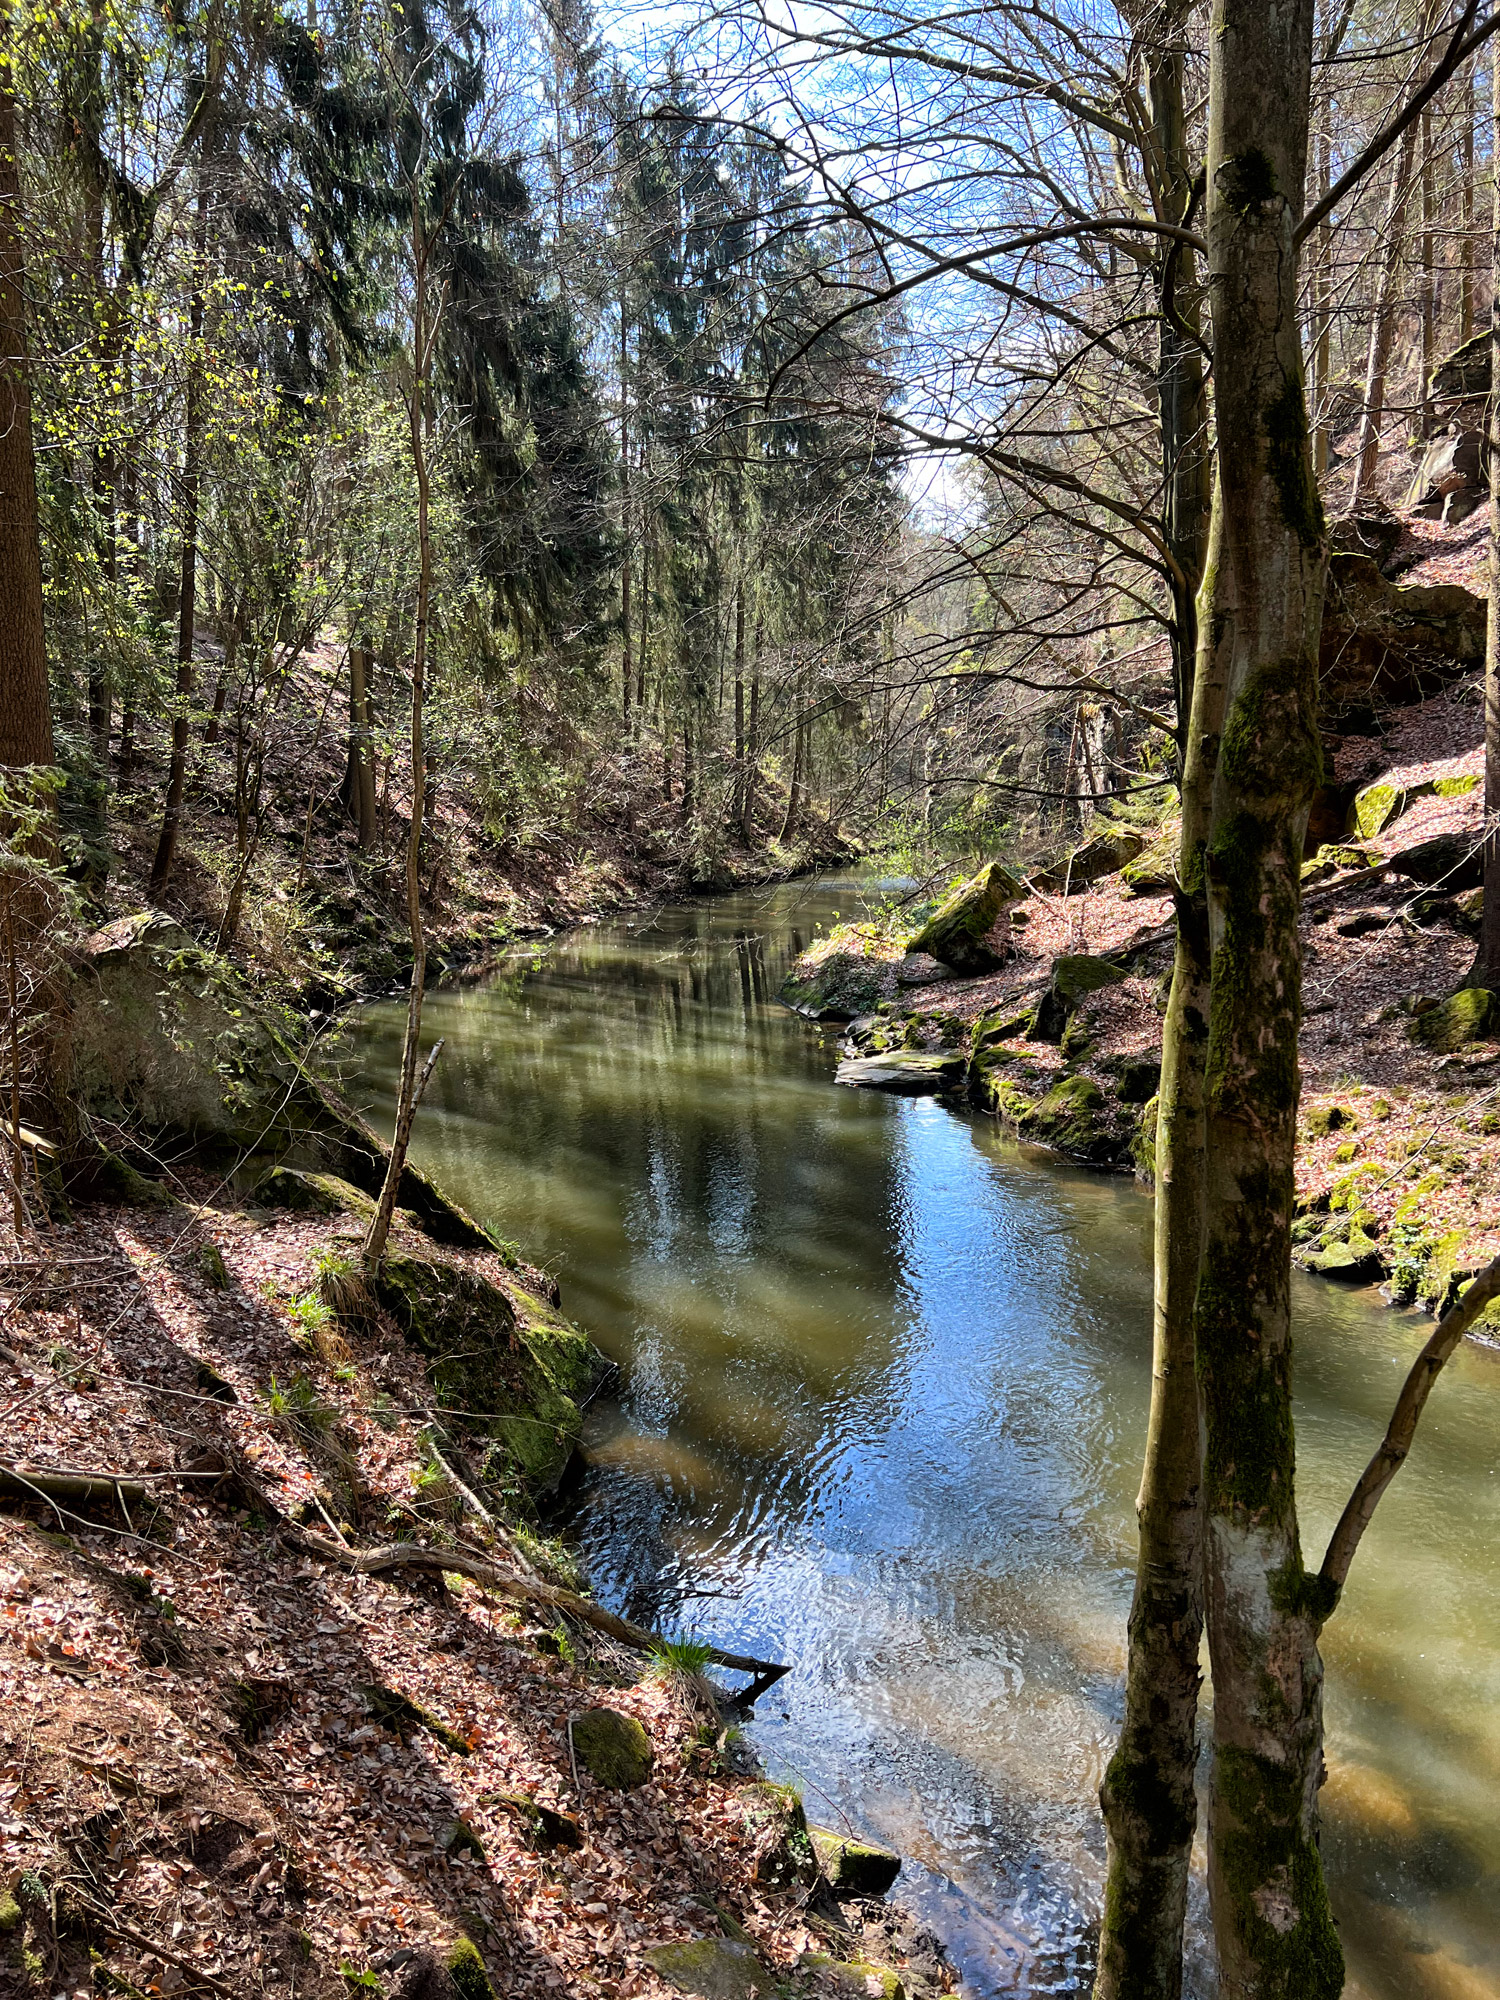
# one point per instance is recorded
(1265, 1849)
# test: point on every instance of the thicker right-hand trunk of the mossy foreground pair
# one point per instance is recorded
(1263, 609)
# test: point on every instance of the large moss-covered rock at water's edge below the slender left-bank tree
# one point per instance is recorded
(521, 1373)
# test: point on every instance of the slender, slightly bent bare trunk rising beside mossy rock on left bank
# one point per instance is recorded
(375, 1243)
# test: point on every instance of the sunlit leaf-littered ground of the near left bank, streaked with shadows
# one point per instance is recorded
(199, 1791)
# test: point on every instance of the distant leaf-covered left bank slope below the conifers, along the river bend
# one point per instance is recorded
(323, 919)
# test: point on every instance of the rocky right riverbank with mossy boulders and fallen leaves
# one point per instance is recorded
(1401, 1061)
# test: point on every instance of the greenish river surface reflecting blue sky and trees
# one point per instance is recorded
(885, 1385)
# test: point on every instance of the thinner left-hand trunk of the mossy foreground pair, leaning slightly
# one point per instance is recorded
(1149, 1795)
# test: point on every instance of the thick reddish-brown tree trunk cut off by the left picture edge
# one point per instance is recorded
(25, 703)
